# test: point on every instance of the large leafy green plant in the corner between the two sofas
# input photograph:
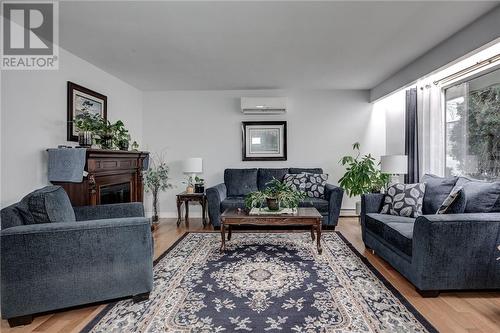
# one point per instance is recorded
(362, 175)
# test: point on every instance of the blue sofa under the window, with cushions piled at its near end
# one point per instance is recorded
(434, 252)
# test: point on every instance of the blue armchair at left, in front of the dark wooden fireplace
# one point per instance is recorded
(55, 256)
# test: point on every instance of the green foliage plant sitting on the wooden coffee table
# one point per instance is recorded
(276, 196)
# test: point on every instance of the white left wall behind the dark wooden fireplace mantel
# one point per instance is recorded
(34, 118)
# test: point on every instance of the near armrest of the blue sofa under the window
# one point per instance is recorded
(456, 251)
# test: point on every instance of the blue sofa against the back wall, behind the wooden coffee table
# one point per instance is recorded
(239, 182)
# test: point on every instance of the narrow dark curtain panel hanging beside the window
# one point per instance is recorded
(411, 136)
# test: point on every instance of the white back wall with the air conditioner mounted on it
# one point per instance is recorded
(322, 125)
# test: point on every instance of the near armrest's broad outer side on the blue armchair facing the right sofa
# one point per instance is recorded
(56, 265)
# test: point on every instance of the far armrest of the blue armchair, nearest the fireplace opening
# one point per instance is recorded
(132, 209)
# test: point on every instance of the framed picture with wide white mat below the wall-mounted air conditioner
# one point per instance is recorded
(263, 140)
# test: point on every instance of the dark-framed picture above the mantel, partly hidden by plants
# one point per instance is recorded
(82, 100)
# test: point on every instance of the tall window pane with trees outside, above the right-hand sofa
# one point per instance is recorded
(472, 127)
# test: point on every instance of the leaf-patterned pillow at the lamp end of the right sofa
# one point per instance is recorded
(404, 200)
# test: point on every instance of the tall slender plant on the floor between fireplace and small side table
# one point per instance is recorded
(156, 180)
